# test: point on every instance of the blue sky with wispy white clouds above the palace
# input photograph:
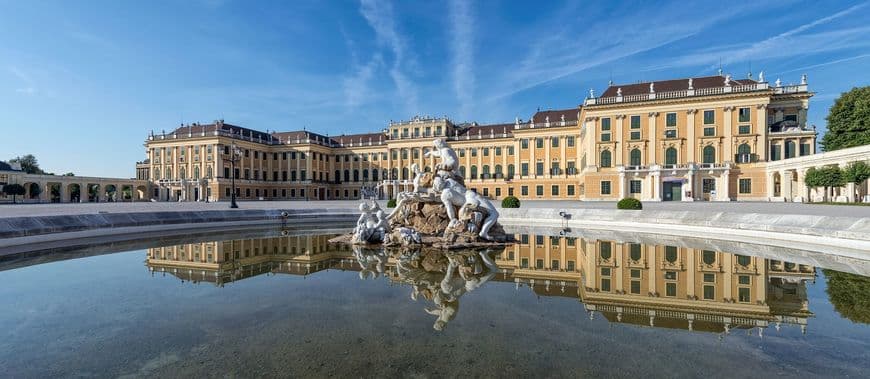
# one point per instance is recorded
(83, 82)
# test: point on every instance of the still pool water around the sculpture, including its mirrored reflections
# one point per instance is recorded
(288, 303)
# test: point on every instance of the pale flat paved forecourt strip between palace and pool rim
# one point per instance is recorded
(24, 210)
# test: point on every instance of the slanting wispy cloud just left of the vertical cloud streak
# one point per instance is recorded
(381, 18)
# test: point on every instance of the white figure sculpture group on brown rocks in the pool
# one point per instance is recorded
(438, 212)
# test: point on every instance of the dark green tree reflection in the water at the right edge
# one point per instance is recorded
(850, 295)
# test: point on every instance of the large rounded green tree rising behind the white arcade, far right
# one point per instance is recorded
(849, 120)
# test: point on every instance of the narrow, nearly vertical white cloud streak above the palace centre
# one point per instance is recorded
(462, 51)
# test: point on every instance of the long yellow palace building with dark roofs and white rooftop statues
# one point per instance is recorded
(694, 139)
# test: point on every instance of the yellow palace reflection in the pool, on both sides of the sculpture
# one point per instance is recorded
(630, 283)
